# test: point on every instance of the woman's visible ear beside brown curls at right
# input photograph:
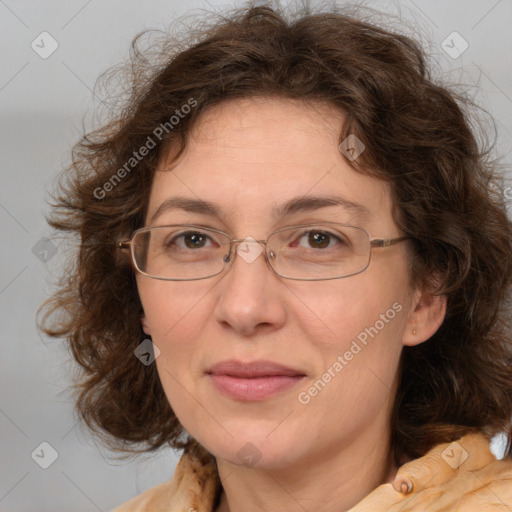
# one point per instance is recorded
(427, 314)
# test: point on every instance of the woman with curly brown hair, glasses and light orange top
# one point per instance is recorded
(294, 265)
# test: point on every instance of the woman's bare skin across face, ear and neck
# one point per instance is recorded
(249, 155)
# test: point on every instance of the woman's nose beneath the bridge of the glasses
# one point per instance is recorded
(250, 296)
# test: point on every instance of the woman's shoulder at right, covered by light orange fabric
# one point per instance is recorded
(462, 475)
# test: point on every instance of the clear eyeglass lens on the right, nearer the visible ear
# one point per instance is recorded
(320, 251)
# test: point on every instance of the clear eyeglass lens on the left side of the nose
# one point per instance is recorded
(179, 252)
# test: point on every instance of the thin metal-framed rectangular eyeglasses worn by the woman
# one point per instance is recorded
(307, 252)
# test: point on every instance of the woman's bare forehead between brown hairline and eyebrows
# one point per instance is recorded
(252, 157)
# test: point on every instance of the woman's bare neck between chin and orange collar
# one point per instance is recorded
(323, 481)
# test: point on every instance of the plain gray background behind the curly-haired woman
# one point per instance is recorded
(43, 102)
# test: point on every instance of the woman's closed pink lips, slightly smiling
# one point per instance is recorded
(253, 381)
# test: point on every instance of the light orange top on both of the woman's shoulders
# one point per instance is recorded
(462, 476)
